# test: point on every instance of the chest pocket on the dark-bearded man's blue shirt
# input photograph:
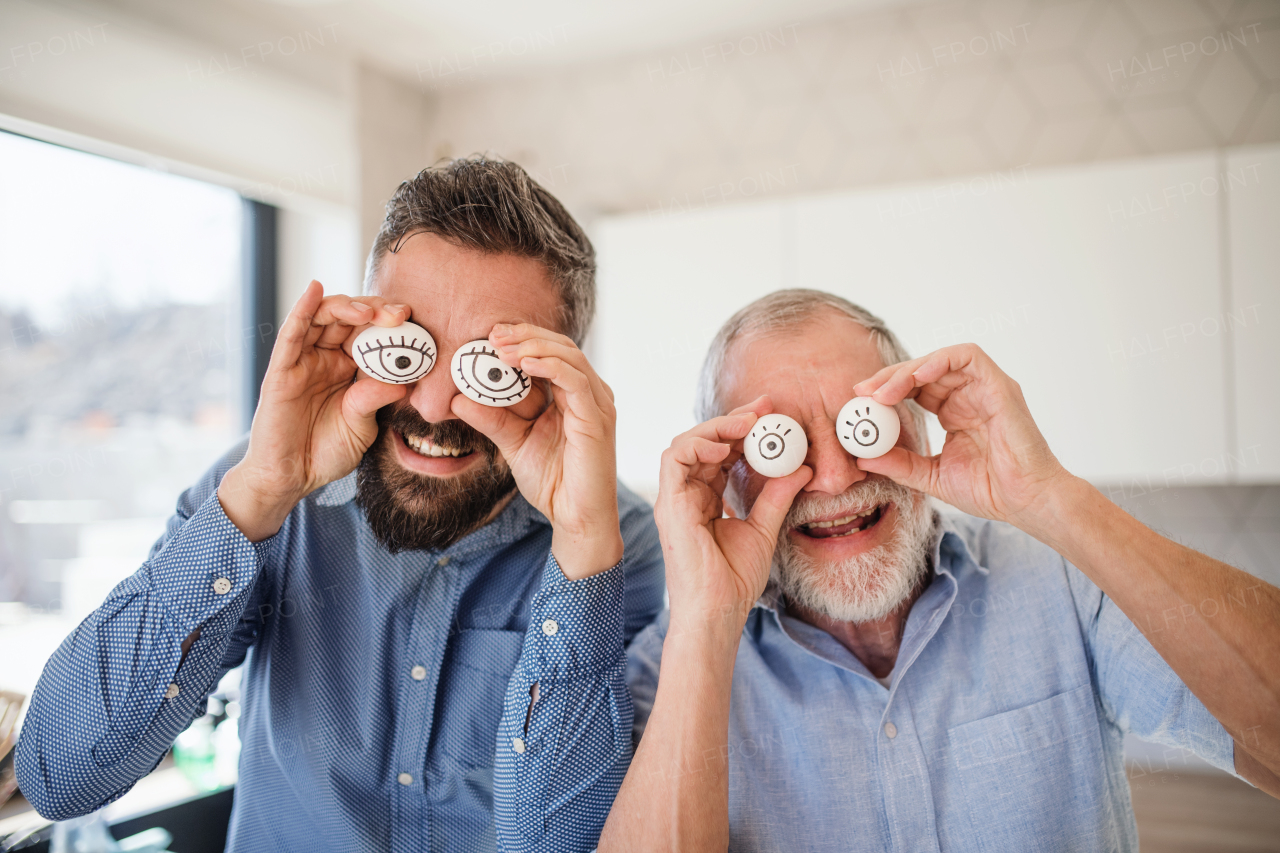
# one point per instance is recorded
(478, 668)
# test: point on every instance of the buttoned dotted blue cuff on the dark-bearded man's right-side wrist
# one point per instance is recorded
(575, 627)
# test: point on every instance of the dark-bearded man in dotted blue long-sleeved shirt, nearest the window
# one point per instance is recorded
(395, 560)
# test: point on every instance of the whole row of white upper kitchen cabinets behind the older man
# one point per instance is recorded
(1101, 289)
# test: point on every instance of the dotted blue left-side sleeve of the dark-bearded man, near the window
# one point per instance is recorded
(117, 692)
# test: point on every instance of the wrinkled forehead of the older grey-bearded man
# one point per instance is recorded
(822, 355)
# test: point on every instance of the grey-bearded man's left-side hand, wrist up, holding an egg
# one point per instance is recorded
(717, 565)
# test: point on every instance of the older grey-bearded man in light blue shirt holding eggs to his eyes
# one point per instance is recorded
(908, 681)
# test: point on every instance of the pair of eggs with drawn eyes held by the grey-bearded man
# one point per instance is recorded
(776, 445)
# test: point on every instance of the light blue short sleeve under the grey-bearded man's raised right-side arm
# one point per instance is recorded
(1140, 692)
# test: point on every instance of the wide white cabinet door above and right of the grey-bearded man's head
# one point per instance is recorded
(1080, 282)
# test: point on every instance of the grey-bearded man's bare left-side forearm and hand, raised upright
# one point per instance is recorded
(675, 796)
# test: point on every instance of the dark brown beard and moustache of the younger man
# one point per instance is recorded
(412, 512)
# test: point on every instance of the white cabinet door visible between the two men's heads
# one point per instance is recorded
(668, 285)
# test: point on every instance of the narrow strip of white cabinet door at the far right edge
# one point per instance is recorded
(1251, 322)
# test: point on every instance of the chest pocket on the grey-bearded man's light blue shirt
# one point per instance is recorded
(1035, 778)
